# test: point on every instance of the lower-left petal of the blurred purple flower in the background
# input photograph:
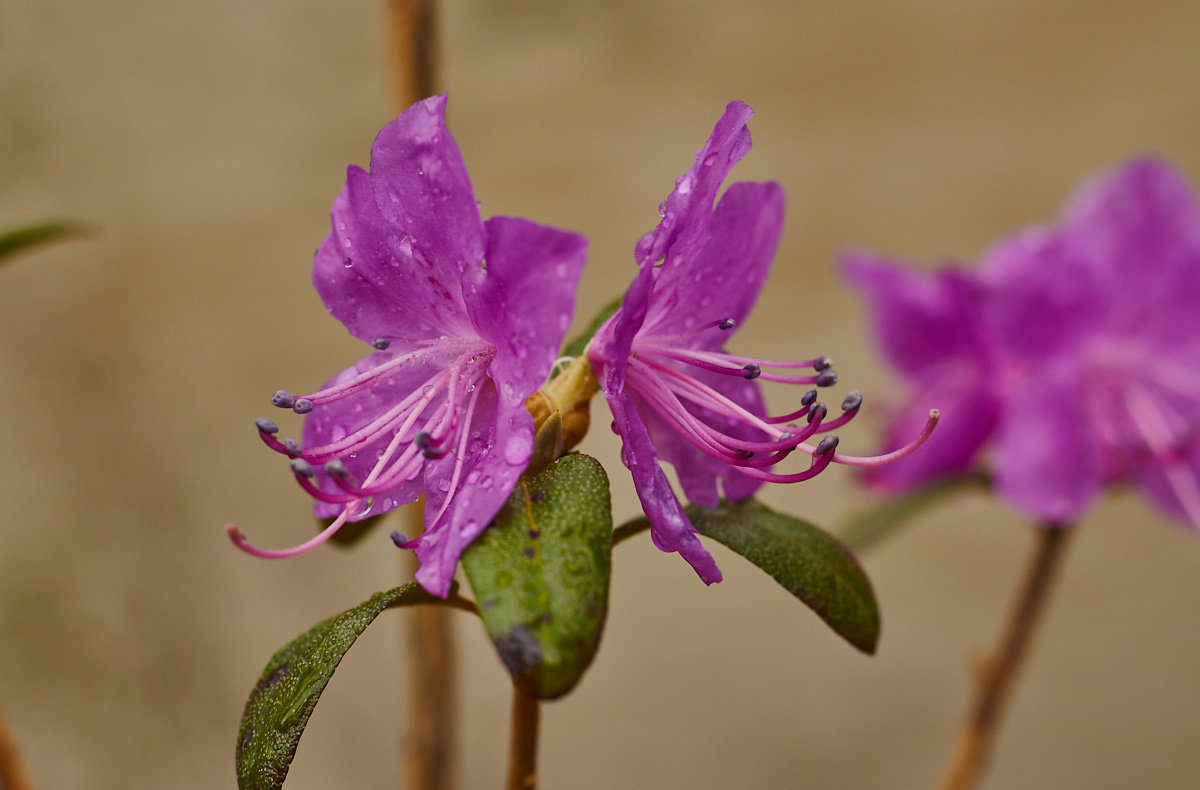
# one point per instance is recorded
(970, 411)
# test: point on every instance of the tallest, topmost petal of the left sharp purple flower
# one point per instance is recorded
(423, 190)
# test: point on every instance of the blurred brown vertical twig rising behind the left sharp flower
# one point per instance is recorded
(429, 749)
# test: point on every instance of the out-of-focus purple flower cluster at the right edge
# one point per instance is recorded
(1075, 349)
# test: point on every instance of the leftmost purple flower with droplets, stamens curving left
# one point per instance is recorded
(467, 319)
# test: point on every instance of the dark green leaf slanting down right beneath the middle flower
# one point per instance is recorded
(807, 561)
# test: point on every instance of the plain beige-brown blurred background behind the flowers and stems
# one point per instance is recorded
(208, 141)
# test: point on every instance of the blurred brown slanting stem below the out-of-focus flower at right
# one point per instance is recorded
(971, 751)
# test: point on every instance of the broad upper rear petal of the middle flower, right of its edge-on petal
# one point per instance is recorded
(724, 277)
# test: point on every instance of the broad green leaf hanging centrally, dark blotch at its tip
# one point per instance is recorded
(541, 574)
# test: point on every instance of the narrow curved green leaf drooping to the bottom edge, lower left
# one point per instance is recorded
(287, 693)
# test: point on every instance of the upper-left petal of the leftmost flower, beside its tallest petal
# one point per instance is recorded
(376, 282)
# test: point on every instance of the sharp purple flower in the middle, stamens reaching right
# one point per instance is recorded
(675, 393)
